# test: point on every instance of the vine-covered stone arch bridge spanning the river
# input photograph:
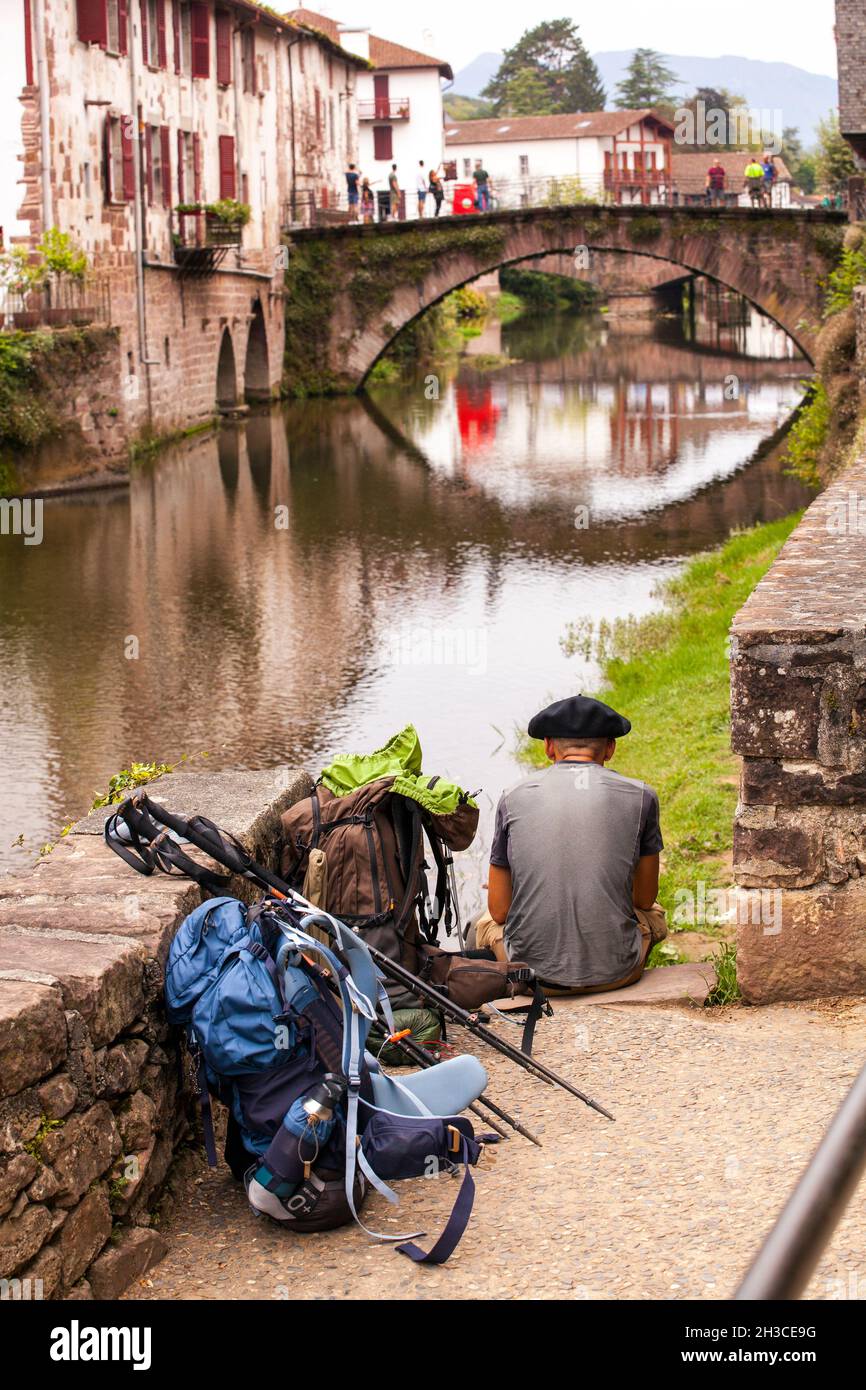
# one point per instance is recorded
(351, 290)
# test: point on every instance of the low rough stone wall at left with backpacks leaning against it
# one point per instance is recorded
(94, 1104)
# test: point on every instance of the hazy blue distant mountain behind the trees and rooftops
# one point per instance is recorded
(803, 98)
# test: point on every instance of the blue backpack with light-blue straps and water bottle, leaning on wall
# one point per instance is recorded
(265, 1006)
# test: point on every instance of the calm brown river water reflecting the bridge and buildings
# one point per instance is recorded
(311, 582)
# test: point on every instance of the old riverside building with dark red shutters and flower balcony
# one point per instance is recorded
(138, 117)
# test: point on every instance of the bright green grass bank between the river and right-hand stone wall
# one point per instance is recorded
(669, 673)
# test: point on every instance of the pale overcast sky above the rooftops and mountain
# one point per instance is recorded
(783, 31)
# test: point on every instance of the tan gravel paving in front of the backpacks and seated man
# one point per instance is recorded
(717, 1114)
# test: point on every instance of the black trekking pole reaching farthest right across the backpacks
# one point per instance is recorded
(138, 814)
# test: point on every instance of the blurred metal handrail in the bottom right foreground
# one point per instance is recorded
(789, 1256)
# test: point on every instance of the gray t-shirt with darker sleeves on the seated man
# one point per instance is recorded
(572, 837)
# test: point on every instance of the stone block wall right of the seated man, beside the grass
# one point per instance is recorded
(799, 721)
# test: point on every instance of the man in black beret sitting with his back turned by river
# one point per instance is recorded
(575, 861)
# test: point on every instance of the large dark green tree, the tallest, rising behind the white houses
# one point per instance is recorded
(547, 72)
